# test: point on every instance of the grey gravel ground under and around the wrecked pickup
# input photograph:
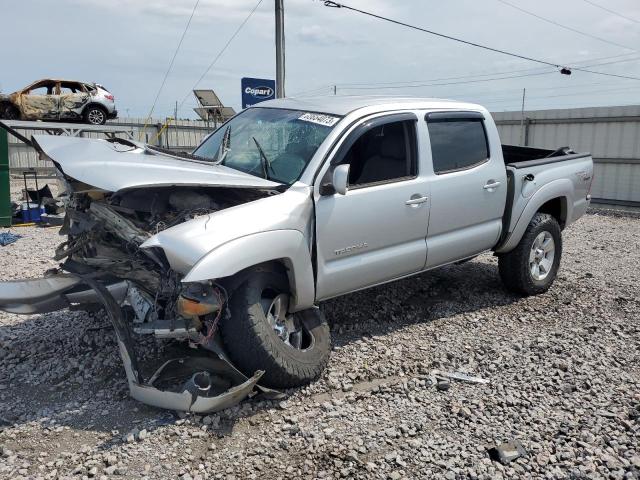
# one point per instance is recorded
(564, 371)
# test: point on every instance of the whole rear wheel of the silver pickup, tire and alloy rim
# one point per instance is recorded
(518, 267)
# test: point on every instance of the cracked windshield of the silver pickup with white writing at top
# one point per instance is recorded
(271, 143)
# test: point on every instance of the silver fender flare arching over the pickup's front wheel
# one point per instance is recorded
(290, 246)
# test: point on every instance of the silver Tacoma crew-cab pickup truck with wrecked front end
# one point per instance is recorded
(232, 246)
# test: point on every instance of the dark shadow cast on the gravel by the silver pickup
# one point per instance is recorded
(62, 370)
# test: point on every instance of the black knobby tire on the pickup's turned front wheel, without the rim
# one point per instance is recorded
(253, 344)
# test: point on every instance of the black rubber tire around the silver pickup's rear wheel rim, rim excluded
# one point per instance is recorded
(515, 267)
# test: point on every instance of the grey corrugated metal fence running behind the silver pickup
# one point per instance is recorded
(611, 134)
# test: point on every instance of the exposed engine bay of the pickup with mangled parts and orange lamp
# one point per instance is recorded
(105, 232)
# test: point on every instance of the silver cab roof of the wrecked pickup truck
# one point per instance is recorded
(344, 104)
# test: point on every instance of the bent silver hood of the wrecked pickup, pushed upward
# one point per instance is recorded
(114, 166)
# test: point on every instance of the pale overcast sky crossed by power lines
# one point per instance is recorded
(127, 45)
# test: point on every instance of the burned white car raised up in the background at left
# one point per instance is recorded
(60, 100)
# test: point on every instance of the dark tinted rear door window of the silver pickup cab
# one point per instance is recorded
(457, 143)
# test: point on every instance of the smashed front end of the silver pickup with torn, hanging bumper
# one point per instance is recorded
(102, 264)
